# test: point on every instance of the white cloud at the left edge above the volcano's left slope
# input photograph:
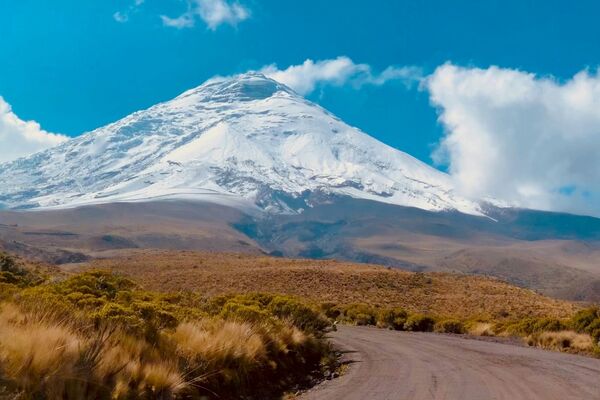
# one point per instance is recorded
(20, 138)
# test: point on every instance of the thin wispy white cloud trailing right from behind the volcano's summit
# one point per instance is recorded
(305, 77)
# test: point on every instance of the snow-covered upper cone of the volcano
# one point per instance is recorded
(248, 141)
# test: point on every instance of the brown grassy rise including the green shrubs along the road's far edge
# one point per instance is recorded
(368, 295)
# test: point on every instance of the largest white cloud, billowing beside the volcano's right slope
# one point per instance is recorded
(529, 140)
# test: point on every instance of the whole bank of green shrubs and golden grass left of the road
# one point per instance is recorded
(98, 335)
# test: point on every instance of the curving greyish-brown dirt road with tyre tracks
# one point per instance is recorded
(400, 365)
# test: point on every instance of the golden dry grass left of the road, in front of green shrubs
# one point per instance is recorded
(50, 356)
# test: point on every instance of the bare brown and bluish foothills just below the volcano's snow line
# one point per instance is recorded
(552, 253)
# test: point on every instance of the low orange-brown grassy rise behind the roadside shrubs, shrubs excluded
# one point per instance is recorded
(212, 274)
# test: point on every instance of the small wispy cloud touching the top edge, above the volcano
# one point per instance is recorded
(213, 12)
